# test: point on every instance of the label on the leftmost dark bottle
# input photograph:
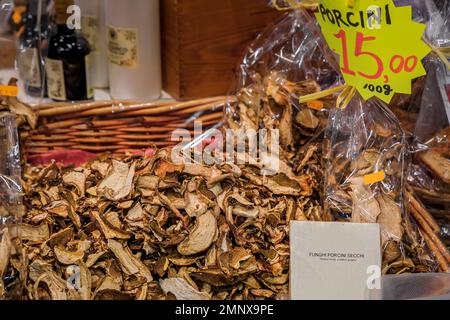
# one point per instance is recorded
(29, 71)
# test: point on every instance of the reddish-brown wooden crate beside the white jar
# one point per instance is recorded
(204, 40)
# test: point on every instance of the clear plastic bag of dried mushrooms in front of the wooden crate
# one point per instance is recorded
(285, 62)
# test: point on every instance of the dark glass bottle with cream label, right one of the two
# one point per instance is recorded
(67, 60)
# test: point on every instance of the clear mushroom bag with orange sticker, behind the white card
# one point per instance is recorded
(365, 153)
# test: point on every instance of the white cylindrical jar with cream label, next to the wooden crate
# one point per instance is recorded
(133, 41)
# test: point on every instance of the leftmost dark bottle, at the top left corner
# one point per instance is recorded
(33, 41)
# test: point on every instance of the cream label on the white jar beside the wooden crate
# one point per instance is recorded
(123, 46)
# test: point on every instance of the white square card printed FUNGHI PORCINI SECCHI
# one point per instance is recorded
(334, 260)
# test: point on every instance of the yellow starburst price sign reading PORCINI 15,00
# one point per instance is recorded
(379, 45)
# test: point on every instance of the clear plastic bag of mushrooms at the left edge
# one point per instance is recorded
(11, 209)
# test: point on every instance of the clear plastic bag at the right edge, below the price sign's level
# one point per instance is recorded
(429, 171)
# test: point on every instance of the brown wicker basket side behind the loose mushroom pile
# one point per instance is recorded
(117, 126)
